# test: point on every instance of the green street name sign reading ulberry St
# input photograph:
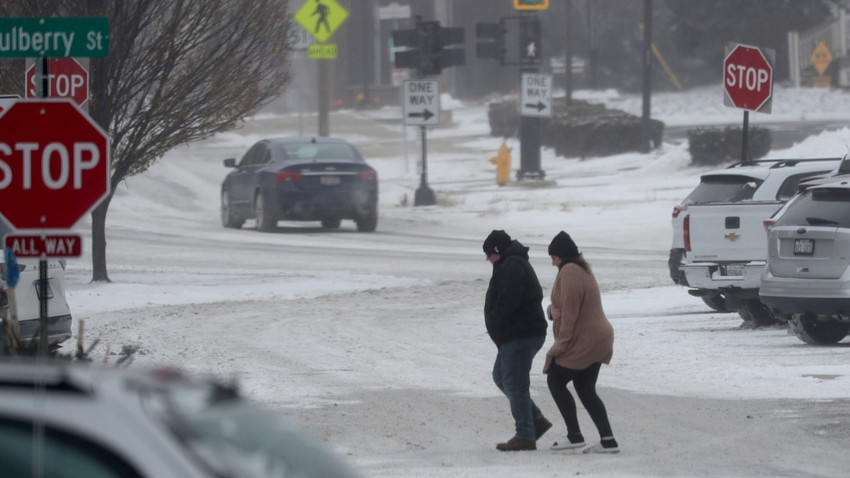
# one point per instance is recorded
(55, 37)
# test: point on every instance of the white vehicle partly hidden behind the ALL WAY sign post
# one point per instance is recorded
(28, 301)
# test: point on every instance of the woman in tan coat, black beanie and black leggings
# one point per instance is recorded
(584, 340)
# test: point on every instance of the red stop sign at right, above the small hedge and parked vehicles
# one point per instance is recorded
(747, 77)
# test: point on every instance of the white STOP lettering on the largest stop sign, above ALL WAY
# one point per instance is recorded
(57, 164)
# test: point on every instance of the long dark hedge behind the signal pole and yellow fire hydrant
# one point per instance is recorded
(581, 129)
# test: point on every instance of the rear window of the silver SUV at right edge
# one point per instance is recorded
(819, 207)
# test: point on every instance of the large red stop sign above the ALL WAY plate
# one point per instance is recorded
(54, 164)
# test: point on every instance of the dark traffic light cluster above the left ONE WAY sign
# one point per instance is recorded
(429, 54)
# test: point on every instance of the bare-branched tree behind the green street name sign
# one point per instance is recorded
(178, 71)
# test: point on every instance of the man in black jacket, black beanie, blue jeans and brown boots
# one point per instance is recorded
(513, 314)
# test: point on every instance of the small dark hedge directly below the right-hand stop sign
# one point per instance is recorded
(717, 146)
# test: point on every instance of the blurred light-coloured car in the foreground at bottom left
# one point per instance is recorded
(72, 419)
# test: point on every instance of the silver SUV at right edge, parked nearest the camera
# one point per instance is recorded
(807, 278)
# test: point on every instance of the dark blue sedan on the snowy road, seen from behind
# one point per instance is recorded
(300, 179)
